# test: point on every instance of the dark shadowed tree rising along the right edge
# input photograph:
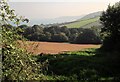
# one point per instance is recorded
(111, 28)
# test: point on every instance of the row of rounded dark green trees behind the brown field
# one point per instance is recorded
(62, 34)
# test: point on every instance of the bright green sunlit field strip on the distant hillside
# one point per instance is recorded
(82, 23)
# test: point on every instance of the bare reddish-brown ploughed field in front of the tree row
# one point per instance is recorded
(53, 47)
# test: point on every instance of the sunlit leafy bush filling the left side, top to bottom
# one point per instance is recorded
(16, 63)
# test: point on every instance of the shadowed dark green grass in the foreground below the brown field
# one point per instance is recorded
(82, 65)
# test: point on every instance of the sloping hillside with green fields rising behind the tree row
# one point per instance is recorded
(87, 21)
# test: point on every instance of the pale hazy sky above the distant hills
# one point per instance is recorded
(37, 9)
